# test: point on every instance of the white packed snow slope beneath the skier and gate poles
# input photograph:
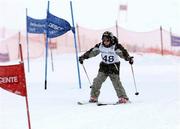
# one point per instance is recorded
(156, 107)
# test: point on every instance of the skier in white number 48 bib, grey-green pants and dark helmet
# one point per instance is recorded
(110, 49)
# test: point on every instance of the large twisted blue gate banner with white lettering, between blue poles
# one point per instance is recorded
(53, 26)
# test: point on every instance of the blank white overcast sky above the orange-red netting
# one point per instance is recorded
(141, 16)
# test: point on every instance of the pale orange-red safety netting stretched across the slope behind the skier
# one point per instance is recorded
(157, 41)
